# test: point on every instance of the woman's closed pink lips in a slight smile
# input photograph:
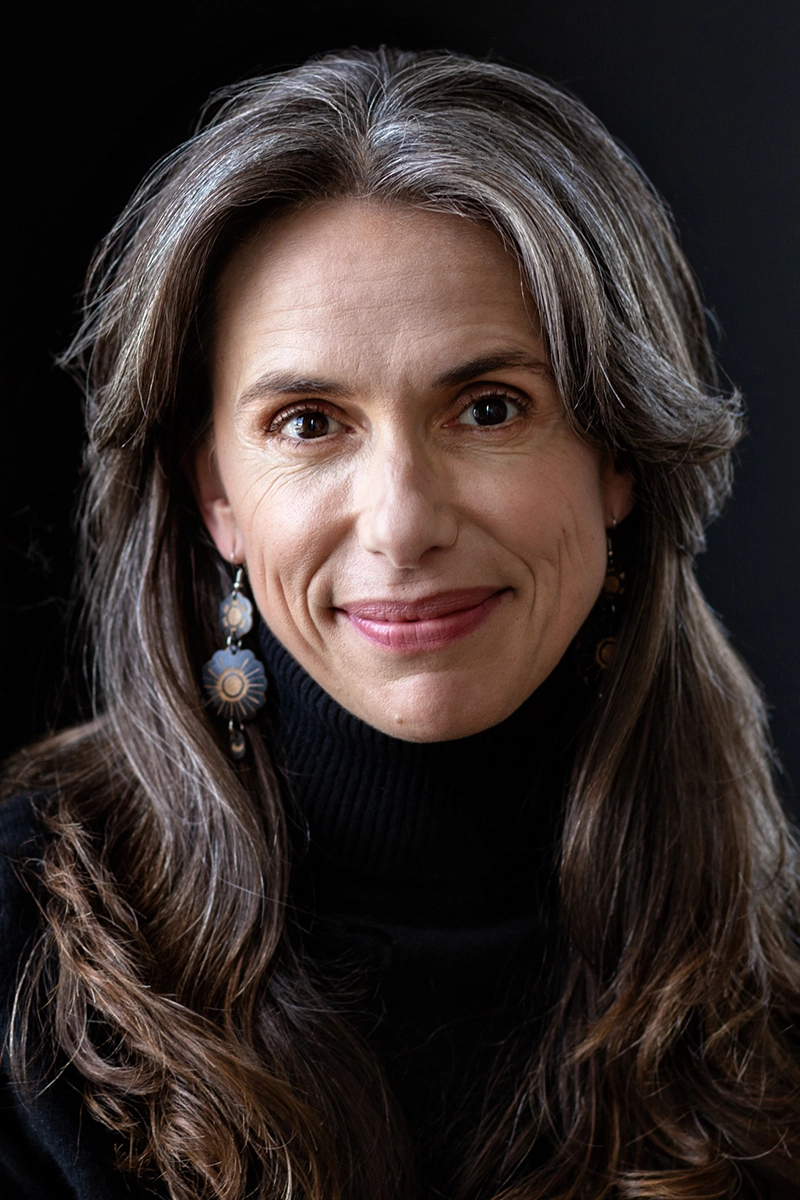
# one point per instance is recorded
(425, 625)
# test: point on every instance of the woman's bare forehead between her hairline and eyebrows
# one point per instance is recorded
(348, 278)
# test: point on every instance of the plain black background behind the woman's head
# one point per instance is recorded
(705, 93)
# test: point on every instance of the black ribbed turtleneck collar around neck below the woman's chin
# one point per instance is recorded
(444, 824)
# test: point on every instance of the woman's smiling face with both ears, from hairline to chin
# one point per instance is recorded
(423, 531)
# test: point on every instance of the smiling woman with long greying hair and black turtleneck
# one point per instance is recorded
(492, 897)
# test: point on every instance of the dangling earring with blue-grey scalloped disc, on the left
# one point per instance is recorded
(234, 680)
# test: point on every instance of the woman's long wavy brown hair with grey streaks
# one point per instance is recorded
(669, 1067)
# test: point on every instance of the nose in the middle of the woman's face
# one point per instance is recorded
(406, 507)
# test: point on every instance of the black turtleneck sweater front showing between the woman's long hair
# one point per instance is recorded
(425, 885)
